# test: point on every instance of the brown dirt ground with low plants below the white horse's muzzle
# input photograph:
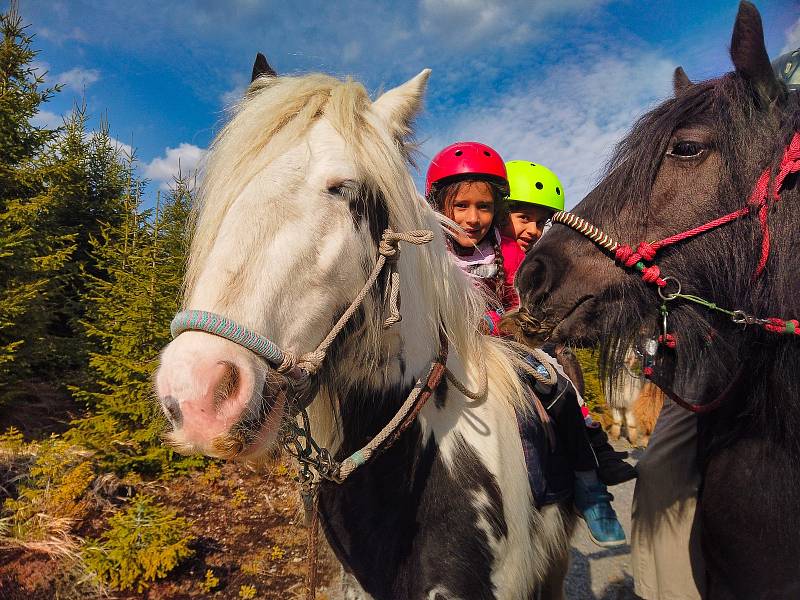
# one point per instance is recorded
(249, 532)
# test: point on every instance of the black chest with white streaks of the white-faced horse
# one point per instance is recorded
(419, 528)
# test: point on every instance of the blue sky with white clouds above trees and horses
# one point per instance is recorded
(555, 81)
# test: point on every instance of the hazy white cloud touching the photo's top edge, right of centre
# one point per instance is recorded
(489, 22)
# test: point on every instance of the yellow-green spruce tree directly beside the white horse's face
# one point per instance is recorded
(144, 256)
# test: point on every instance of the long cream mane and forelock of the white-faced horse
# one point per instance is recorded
(278, 111)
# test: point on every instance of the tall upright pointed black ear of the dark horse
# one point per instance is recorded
(749, 55)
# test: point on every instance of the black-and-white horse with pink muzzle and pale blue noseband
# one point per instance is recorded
(298, 189)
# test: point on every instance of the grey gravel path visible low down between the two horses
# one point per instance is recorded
(599, 573)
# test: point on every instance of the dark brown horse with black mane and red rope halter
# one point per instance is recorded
(693, 158)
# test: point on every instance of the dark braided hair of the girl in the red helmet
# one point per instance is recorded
(441, 198)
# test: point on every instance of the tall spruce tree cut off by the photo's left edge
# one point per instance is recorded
(29, 258)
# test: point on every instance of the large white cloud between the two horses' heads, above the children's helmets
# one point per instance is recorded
(571, 118)
